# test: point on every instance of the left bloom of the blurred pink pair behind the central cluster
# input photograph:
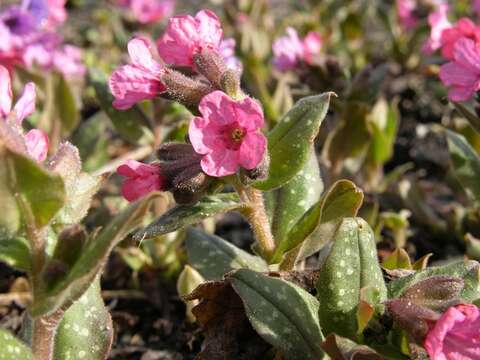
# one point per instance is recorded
(287, 50)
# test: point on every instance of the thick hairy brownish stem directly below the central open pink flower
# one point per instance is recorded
(257, 217)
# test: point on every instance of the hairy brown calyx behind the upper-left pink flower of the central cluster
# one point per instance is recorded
(183, 89)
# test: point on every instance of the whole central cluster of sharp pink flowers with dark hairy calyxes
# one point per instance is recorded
(225, 138)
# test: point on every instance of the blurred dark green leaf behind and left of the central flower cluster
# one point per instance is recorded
(132, 124)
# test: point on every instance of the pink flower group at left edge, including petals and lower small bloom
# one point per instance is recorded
(34, 142)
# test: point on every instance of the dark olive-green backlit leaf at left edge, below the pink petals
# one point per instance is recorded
(41, 191)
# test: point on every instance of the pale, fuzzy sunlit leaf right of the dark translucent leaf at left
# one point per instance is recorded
(80, 186)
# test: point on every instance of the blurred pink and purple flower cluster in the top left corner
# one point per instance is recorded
(29, 38)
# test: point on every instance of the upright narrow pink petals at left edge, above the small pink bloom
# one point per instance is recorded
(25, 105)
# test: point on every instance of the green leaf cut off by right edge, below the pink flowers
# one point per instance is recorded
(466, 163)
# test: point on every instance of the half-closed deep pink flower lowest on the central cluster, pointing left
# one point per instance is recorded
(142, 179)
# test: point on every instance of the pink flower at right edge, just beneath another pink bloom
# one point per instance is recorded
(463, 73)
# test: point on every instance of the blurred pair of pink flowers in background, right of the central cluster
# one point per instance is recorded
(290, 51)
